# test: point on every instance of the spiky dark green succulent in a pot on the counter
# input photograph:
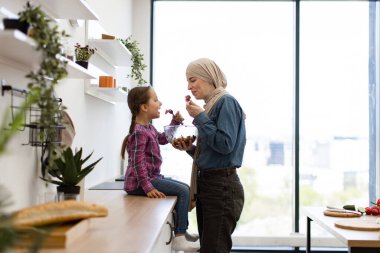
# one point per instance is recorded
(68, 170)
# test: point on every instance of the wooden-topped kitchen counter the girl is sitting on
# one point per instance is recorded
(135, 224)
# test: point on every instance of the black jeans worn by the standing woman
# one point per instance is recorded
(220, 201)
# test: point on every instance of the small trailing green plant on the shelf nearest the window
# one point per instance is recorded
(137, 59)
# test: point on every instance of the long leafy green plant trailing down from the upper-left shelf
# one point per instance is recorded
(52, 69)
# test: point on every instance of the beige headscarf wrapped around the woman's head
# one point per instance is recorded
(208, 71)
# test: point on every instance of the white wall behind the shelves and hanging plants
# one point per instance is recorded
(100, 126)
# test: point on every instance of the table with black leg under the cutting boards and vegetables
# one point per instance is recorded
(356, 241)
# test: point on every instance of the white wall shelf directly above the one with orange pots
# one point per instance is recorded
(113, 51)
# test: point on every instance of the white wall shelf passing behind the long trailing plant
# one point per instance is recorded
(19, 51)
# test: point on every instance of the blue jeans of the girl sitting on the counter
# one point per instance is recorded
(171, 187)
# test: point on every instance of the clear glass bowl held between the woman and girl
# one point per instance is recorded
(177, 133)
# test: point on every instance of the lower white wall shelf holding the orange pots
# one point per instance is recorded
(110, 95)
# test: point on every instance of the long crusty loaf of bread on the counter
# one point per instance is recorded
(57, 212)
